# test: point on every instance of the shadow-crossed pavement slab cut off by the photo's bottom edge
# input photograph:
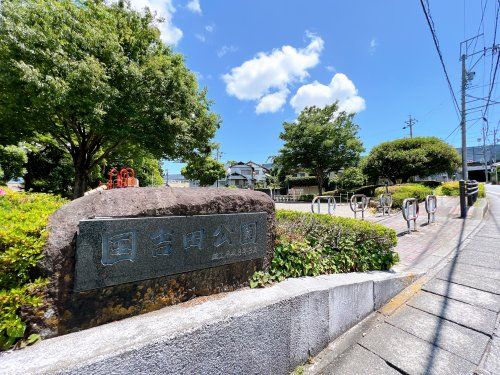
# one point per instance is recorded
(412, 354)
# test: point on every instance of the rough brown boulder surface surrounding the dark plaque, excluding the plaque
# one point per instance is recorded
(70, 311)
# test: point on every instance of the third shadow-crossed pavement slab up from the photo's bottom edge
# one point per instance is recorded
(464, 314)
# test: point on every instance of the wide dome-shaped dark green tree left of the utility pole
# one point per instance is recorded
(404, 158)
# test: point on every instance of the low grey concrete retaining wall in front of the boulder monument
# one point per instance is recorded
(270, 330)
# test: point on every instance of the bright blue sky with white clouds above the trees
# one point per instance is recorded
(262, 60)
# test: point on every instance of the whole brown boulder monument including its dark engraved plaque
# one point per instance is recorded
(123, 252)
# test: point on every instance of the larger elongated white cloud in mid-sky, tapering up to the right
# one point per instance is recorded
(271, 73)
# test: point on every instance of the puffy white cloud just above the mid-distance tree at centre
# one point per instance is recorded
(339, 89)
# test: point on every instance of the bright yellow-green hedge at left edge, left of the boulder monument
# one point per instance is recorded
(23, 218)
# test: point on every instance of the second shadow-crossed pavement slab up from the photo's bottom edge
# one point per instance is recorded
(447, 335)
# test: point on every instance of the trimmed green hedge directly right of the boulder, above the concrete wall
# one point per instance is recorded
(313, 244)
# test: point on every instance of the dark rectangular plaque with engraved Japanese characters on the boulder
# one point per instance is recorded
(112, 251)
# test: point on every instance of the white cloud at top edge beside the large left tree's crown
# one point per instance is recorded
(170, 34)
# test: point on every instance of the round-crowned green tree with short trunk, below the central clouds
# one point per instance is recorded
(321, 140)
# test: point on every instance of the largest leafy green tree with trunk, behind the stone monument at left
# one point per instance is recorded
(97, 78)
